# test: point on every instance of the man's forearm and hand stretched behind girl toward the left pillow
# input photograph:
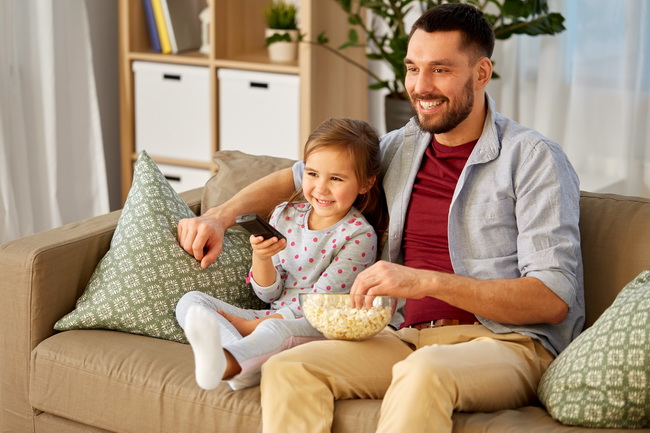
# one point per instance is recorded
(202, 236)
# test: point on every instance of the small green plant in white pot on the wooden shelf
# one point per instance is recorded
(282, 31)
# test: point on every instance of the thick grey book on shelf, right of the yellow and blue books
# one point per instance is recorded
(183, 24)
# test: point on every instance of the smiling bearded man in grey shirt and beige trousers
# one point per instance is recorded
(483, 242)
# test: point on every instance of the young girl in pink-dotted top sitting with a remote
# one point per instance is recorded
(329, 241)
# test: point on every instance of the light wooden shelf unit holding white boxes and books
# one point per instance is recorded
(328, 86)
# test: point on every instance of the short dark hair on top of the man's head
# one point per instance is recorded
(466, 18)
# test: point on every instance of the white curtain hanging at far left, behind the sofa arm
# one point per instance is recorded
(52, 169)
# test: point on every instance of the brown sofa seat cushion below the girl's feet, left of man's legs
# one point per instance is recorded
(130, 383)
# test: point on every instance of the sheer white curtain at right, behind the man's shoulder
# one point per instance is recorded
(588, 88)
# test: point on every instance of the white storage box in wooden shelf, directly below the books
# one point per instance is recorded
(172, 111)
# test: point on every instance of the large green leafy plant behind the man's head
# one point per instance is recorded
(386, 35)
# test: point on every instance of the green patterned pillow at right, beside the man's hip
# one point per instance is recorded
(603, 378)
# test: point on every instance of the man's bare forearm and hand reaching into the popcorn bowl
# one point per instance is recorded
(517, 301)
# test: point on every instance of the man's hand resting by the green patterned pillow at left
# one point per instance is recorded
(202, 237)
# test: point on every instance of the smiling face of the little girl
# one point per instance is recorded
(330, 185)
